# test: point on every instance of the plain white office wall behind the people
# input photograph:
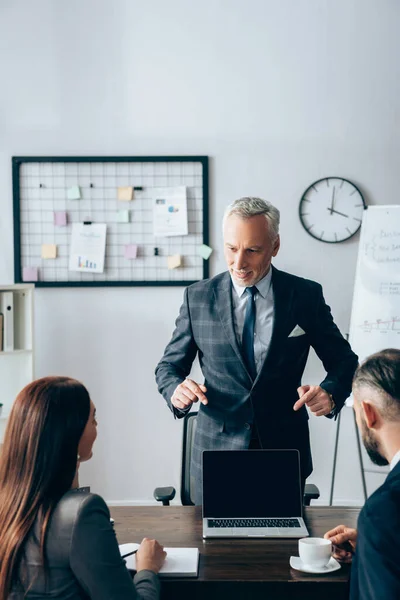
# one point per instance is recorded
(277, 92)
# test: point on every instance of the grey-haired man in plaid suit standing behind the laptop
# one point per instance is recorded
(252, 328)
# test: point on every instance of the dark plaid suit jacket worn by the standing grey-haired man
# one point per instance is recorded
(205, 327)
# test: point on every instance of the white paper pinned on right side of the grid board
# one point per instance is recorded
(170, 211)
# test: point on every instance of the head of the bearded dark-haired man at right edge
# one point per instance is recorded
(376, 391)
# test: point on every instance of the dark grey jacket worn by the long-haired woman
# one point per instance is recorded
(83, 557)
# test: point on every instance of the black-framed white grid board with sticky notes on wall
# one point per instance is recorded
(45, 210)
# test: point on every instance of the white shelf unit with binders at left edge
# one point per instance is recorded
(17, 365)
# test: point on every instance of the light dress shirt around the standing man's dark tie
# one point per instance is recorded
(264, 299)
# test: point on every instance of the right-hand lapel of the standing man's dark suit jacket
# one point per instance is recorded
(283, 300)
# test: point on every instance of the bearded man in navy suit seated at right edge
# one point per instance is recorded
(375, 571)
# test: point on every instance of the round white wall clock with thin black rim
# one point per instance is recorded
(331, 209)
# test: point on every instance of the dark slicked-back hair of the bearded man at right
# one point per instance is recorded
(381, 373)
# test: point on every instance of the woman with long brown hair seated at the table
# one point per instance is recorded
(56, 541)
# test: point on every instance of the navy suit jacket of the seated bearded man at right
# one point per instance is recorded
(375, 573)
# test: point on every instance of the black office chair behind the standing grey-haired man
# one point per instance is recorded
(166, 494)
